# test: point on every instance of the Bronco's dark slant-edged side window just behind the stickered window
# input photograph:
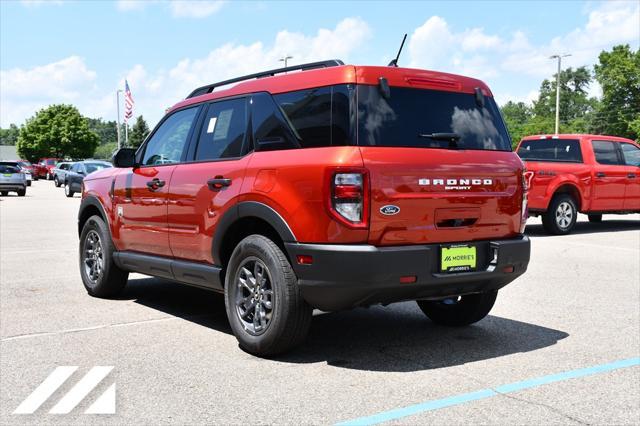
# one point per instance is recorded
(270, 128)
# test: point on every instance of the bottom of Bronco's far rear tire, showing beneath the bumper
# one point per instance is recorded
(455, 313)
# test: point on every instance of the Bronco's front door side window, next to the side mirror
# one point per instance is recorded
(168, 141)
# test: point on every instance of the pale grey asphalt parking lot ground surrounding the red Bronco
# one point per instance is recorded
(175, 360)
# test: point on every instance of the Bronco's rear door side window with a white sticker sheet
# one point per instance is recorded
(223, 131)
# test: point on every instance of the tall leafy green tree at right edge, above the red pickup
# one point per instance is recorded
(618, 73)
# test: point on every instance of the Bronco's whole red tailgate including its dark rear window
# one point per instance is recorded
(441, 167)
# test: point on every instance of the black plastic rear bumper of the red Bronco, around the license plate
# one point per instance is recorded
(346, 276)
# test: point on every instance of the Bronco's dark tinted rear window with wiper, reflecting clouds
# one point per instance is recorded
(420, 118)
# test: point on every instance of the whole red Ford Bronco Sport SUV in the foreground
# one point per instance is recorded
(332, 187)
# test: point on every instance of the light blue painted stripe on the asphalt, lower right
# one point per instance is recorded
(436, 404)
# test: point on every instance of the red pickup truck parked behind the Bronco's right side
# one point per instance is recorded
(573, 173)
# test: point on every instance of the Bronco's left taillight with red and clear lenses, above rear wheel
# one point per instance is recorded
(348, 197)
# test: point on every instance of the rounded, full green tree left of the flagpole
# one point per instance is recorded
(56, 131)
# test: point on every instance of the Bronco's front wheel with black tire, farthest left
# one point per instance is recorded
(110, 281)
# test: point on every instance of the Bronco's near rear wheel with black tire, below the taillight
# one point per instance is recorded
(290, 316)
